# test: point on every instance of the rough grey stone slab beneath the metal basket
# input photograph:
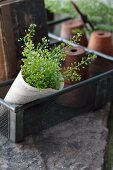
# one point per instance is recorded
(76, 144)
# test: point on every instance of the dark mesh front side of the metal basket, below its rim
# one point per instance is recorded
(68, 105)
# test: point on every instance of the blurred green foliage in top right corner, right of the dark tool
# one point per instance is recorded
(99, 12)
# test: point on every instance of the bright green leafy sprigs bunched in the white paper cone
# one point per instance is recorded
(42, 66)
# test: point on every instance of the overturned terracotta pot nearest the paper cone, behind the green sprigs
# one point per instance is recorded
(79, 97)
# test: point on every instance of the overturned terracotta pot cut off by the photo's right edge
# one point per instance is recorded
(101, 41)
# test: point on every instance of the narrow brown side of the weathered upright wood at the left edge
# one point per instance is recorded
(8, 43)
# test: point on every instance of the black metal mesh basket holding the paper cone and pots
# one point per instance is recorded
(19, 121)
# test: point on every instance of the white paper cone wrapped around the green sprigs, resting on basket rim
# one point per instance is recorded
(21, 92)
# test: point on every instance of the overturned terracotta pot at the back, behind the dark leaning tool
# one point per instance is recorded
(68, 28)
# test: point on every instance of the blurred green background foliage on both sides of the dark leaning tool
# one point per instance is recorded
(100, 12)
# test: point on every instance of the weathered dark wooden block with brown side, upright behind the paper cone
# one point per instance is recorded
(15, 18)
